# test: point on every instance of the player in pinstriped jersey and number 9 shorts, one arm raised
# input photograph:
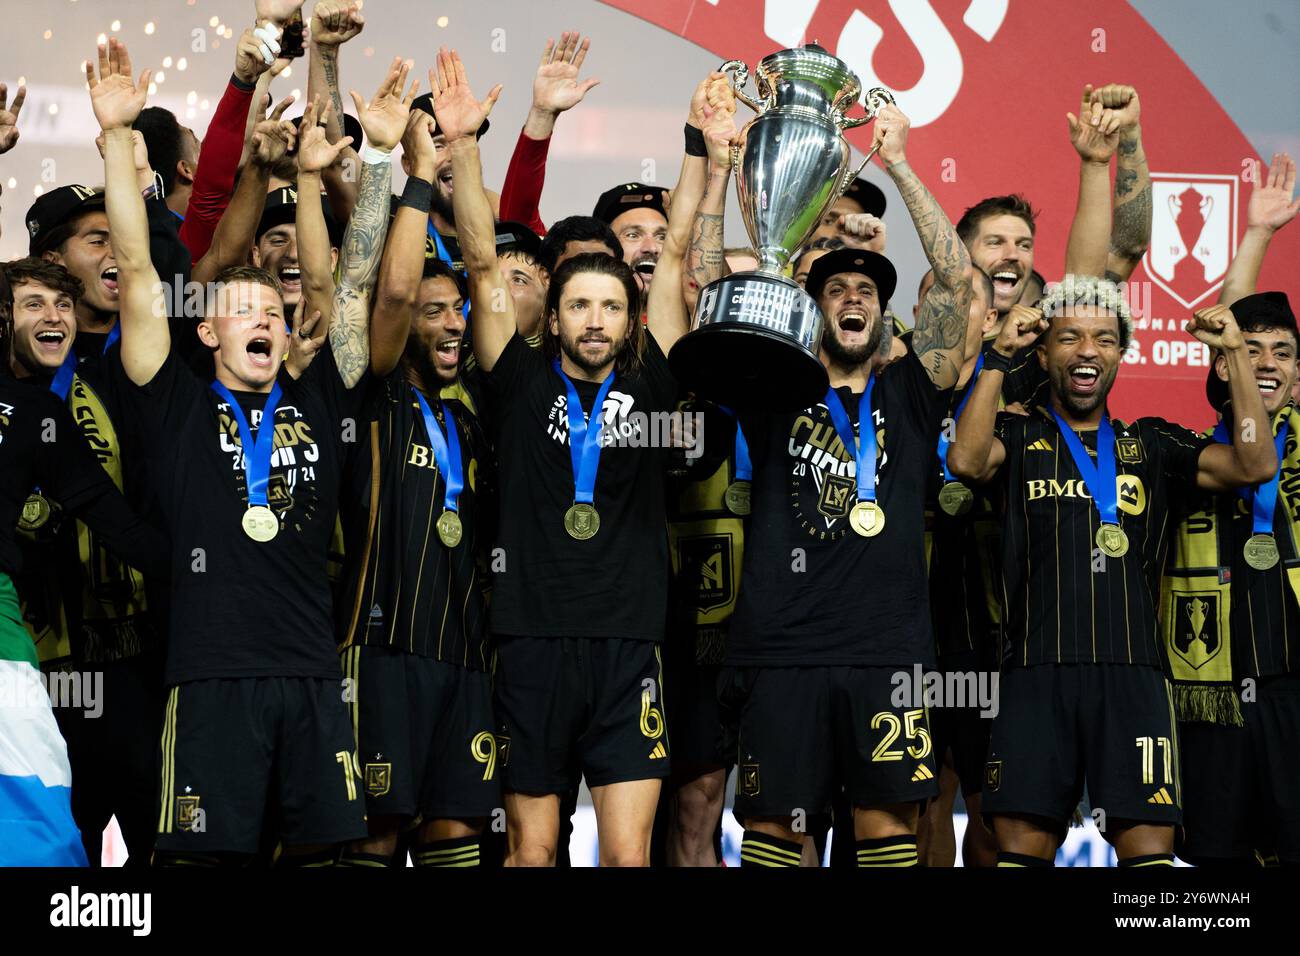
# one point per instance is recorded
(414, 625)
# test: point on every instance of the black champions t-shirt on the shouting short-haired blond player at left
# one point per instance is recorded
(242, 608)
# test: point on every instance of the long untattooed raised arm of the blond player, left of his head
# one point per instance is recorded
(116, 102)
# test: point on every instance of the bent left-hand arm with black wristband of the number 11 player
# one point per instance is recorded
(977, 453)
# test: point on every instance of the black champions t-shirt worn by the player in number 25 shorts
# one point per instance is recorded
(814, 592)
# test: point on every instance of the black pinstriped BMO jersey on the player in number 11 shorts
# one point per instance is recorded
(1065, 602)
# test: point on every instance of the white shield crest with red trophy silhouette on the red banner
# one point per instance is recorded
(1193, 235)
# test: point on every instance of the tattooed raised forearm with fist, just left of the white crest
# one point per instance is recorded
(1130, 230)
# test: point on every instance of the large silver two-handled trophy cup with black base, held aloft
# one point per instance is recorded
(756, 335)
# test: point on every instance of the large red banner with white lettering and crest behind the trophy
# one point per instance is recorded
(987, 85)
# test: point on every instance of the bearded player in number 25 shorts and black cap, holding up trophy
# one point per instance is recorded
(834, 600)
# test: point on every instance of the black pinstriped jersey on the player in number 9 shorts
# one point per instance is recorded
(405, 589)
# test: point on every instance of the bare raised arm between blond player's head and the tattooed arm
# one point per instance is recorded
(315, 154)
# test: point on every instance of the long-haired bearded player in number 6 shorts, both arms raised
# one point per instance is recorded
(580, 587)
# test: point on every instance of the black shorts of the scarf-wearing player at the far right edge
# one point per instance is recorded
(1242, 785)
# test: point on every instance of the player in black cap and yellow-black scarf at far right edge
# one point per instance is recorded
(1229, 608)
